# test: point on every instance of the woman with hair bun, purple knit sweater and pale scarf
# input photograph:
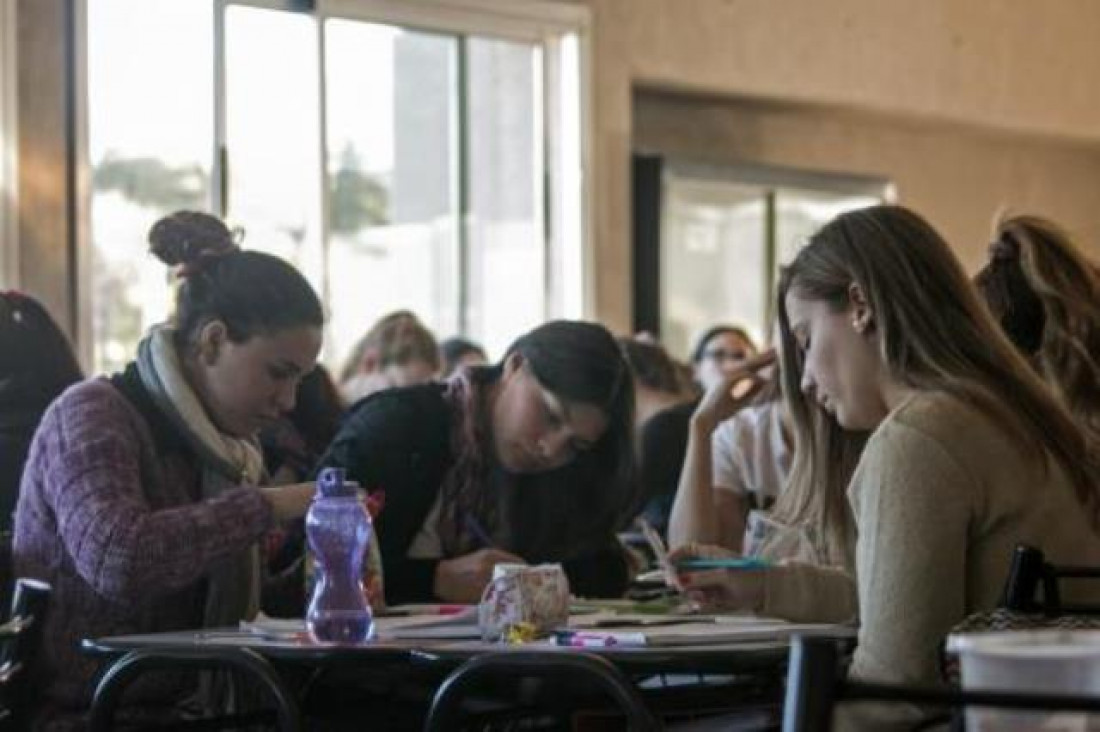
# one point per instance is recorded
(140, 502)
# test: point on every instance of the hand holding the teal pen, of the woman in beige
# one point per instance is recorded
(717, 589)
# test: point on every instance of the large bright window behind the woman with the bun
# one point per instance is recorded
(403, 156)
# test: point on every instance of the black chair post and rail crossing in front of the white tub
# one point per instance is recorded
(816, 685)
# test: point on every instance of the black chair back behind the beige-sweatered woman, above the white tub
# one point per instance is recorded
(1031, 573)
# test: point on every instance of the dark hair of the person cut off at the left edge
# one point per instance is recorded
(37, 362)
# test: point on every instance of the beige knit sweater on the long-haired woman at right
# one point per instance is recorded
(941, 498)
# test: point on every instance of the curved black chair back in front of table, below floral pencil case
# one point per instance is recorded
(445, 713)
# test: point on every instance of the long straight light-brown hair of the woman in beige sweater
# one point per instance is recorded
(934, 334)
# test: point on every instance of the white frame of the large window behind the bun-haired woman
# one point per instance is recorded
(542, 23)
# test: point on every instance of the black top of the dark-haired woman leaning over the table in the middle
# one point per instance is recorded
(400, 441)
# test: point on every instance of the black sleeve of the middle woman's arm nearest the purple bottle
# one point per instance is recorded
(398, 442)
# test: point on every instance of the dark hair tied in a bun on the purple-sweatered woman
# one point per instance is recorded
(254, 293)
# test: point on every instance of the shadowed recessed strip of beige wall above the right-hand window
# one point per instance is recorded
(959, 176)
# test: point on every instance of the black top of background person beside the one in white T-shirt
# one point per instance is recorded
(664, 449)
